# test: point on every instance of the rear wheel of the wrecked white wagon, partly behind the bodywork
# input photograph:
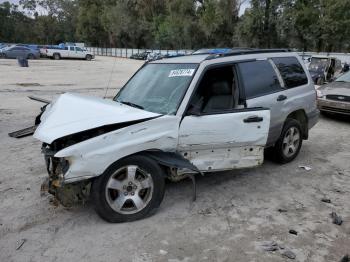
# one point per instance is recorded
(288, 145)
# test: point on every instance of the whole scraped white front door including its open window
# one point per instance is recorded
(228, 137)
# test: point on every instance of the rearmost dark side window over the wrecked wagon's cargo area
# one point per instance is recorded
(291, 71)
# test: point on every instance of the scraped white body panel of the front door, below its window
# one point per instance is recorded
(224, 141)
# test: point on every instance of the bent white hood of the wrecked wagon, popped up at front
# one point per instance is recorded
(72, 113)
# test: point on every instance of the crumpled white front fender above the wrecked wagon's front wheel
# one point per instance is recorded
(91, 157)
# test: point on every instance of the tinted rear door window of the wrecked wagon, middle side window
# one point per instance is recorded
(259, 78)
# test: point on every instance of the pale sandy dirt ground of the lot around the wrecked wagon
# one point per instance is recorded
(235, 215)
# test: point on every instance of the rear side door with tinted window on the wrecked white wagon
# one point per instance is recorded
(263, 87)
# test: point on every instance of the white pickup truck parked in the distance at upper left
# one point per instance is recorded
(68, 52)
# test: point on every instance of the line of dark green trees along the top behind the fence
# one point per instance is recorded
(308, 25)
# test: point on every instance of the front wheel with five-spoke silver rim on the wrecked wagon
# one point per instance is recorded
(130, 189)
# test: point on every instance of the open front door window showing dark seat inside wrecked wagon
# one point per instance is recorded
(217, 91)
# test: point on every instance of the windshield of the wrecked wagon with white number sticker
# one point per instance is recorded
(158, 88)
